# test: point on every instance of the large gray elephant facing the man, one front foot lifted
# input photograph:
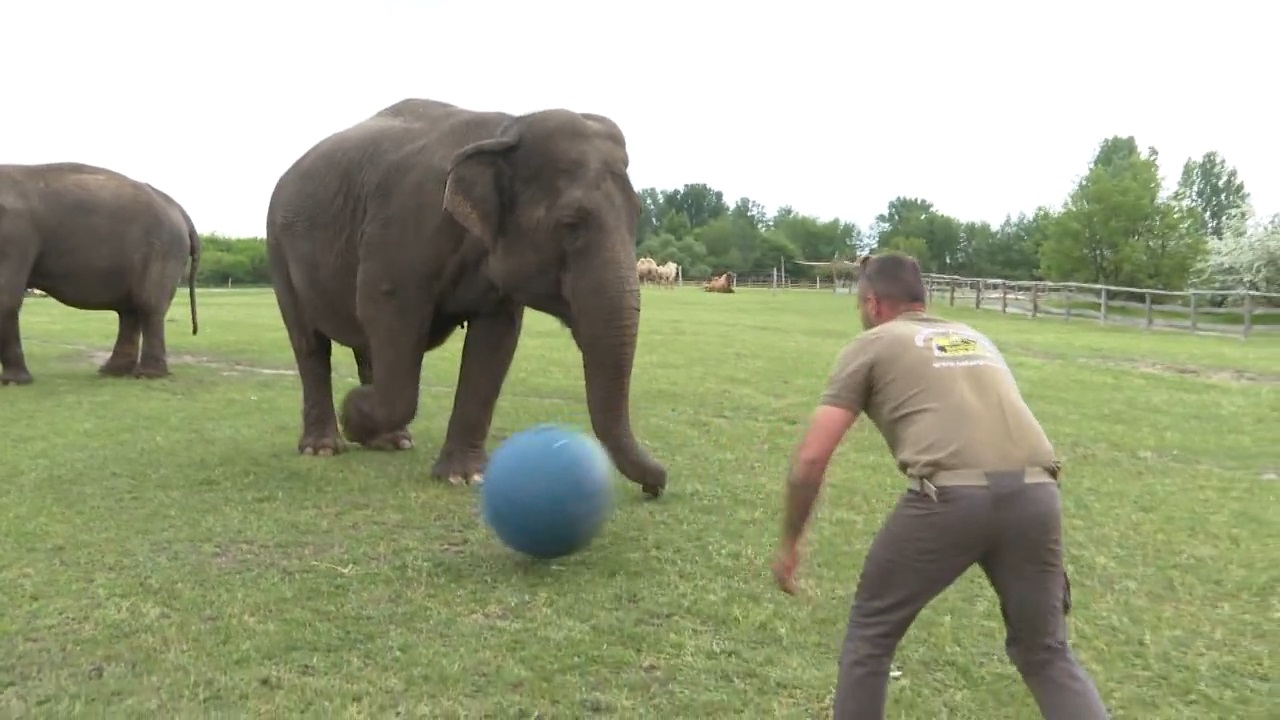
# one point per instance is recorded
(388, 236)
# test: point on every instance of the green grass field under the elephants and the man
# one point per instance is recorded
(167, 554)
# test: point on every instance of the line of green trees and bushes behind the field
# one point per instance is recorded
(1118, 226)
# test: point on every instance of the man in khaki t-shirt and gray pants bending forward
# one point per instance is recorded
(982, 489)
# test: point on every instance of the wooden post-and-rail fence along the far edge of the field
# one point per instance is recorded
(1196, 311)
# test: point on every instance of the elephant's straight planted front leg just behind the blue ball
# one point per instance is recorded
(487, 356)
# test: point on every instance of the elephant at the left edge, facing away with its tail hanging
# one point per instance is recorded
(95, 240)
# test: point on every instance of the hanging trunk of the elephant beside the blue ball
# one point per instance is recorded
(606, 308)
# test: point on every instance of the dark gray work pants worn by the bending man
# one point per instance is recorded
(1014, 532)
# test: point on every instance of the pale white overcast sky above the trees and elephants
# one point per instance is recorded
(984, 108)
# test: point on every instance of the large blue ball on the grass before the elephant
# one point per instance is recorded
(548, 491)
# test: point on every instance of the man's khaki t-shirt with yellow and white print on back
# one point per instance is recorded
(943, 398)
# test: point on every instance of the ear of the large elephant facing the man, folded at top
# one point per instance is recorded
(476, 193)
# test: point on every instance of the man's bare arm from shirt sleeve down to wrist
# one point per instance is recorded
(828, 427)
